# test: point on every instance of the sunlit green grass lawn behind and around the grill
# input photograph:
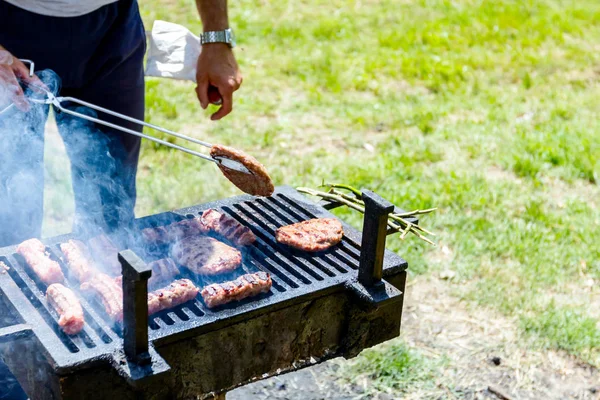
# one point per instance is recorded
(486, 109)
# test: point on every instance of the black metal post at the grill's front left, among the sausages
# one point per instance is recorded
(135, 306)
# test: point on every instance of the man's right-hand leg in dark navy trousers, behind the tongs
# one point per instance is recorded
(104, 184)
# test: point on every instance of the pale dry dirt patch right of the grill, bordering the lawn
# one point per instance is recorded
(485, 350)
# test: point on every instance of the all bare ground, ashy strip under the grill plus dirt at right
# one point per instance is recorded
(484, 355)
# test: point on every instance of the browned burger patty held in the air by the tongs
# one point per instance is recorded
(258, 183)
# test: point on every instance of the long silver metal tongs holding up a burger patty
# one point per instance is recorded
(50, 98)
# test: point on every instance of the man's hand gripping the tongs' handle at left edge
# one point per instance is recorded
(11, 69)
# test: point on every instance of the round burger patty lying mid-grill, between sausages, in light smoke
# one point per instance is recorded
(206, 256)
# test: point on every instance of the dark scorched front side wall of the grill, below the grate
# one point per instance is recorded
(269, 344)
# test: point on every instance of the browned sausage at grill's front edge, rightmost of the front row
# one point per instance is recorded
(245, 286)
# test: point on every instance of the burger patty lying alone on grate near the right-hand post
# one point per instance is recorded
(313, 235)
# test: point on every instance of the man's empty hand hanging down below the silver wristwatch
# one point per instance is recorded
(218, 69)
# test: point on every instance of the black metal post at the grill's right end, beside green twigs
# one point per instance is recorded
(370, 270)
